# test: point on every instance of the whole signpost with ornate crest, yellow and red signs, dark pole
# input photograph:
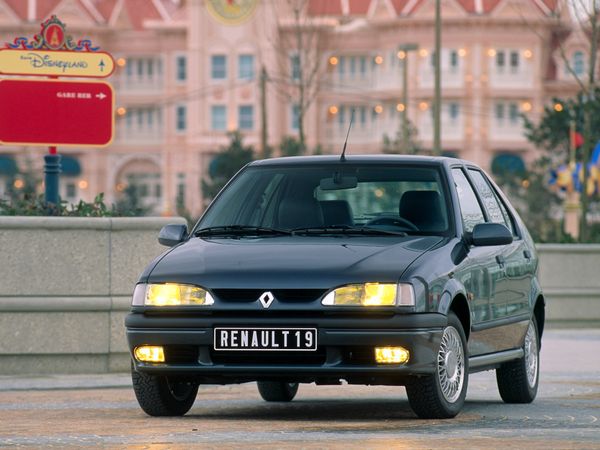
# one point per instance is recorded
(52, 112)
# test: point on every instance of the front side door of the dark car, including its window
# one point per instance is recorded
(481, 273)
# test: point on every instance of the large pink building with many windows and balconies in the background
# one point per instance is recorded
(193, 73)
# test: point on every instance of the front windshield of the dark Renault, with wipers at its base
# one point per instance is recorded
(331, 199)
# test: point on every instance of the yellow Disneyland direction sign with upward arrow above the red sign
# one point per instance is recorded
(56, 63)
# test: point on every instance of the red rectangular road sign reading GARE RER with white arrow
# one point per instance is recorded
(51, 113)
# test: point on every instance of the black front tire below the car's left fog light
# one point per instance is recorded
(163, 396)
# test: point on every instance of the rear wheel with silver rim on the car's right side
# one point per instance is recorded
(518, 380)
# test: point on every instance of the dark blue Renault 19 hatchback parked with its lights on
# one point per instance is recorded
(389, 270)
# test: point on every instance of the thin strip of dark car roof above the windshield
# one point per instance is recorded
(362, 159)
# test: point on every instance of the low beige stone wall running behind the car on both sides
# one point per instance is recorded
(65, 287)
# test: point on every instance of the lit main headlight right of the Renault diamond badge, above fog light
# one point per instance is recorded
(371, 294)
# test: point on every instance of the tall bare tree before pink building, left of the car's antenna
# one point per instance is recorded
(299, 45)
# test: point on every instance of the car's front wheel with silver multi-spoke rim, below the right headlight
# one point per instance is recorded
(442, 395)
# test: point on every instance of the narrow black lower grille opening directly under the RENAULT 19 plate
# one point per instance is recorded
(269, 358)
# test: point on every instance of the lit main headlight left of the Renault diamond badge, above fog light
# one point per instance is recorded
(170, 294)
